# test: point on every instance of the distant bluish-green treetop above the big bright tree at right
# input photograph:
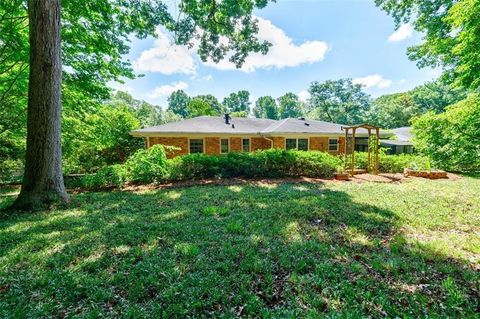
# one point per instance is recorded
(435, 96)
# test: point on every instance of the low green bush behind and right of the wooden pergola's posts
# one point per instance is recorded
(392, 163)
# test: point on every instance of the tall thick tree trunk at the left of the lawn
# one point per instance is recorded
(43, 179)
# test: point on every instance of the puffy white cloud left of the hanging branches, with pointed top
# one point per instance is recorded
(166, 57)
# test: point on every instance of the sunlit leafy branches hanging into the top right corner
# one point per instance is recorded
(451, 35)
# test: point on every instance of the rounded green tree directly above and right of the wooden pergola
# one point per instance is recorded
(393, 110)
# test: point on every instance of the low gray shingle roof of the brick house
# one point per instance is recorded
(216, 125)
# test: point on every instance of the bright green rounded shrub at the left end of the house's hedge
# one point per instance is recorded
(147, 166)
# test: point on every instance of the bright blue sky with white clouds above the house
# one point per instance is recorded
(313, 40)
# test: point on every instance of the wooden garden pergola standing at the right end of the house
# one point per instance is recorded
(351, 151)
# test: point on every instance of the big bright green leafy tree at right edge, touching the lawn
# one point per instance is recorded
(452, 138)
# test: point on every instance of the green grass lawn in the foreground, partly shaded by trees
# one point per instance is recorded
(339, 250)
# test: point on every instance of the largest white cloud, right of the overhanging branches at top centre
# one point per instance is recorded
(282, 53)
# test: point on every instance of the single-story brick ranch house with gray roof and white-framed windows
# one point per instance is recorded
(220, 135)
